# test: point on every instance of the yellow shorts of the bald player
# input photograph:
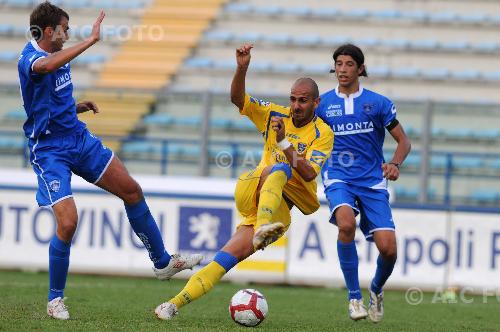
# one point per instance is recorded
(246, 202)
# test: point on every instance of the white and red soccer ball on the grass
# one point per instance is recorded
(248, 307)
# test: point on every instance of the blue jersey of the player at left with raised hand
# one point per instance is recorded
(47, 98)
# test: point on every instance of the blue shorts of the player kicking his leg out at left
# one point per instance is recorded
(54, 159)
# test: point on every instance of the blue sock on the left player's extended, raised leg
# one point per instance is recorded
(146, 229)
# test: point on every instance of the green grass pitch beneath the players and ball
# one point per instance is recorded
(99, 303)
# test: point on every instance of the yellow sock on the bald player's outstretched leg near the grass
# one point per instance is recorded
(199, 284)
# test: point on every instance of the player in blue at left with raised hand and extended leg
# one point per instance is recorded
(61, 145)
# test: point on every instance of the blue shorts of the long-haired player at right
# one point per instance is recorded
(372, 205)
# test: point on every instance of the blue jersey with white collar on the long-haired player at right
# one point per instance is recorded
(358, 122)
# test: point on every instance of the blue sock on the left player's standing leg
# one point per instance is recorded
(58, 267)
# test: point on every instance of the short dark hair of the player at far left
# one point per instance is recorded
(45, 15)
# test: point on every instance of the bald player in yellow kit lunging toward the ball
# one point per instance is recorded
(296, 144)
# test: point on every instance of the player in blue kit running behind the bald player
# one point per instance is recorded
(355, 177)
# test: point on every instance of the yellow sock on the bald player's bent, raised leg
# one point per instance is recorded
(270, 196)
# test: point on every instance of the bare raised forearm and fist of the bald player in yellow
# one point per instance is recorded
(238, 83)
